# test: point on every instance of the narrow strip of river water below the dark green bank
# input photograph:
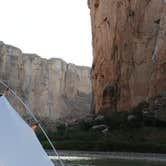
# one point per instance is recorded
(79, 158)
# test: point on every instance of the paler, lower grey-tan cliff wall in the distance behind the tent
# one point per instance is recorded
(52, 88)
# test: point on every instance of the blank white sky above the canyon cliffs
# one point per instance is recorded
(49, 28)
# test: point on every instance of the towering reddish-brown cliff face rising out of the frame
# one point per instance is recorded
(129, 49)
